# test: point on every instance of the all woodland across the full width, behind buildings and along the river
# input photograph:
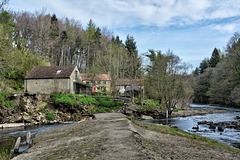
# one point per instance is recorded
(40, 39)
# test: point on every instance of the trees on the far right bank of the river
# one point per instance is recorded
(217, 80)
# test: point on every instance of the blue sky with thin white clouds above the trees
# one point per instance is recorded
(189, 28)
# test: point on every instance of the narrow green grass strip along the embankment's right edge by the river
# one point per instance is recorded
(179, 132)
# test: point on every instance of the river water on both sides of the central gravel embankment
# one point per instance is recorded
(230, 137)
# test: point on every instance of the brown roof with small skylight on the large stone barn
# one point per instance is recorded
(50, 72)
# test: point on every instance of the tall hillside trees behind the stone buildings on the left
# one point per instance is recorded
(36, 39)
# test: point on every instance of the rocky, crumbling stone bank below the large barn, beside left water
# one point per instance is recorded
(33, 108)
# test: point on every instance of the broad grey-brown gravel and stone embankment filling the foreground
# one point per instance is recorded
(112, 136)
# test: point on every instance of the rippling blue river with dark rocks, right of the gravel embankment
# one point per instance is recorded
(229, 136)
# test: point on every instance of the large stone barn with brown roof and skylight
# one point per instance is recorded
(54, 79)
